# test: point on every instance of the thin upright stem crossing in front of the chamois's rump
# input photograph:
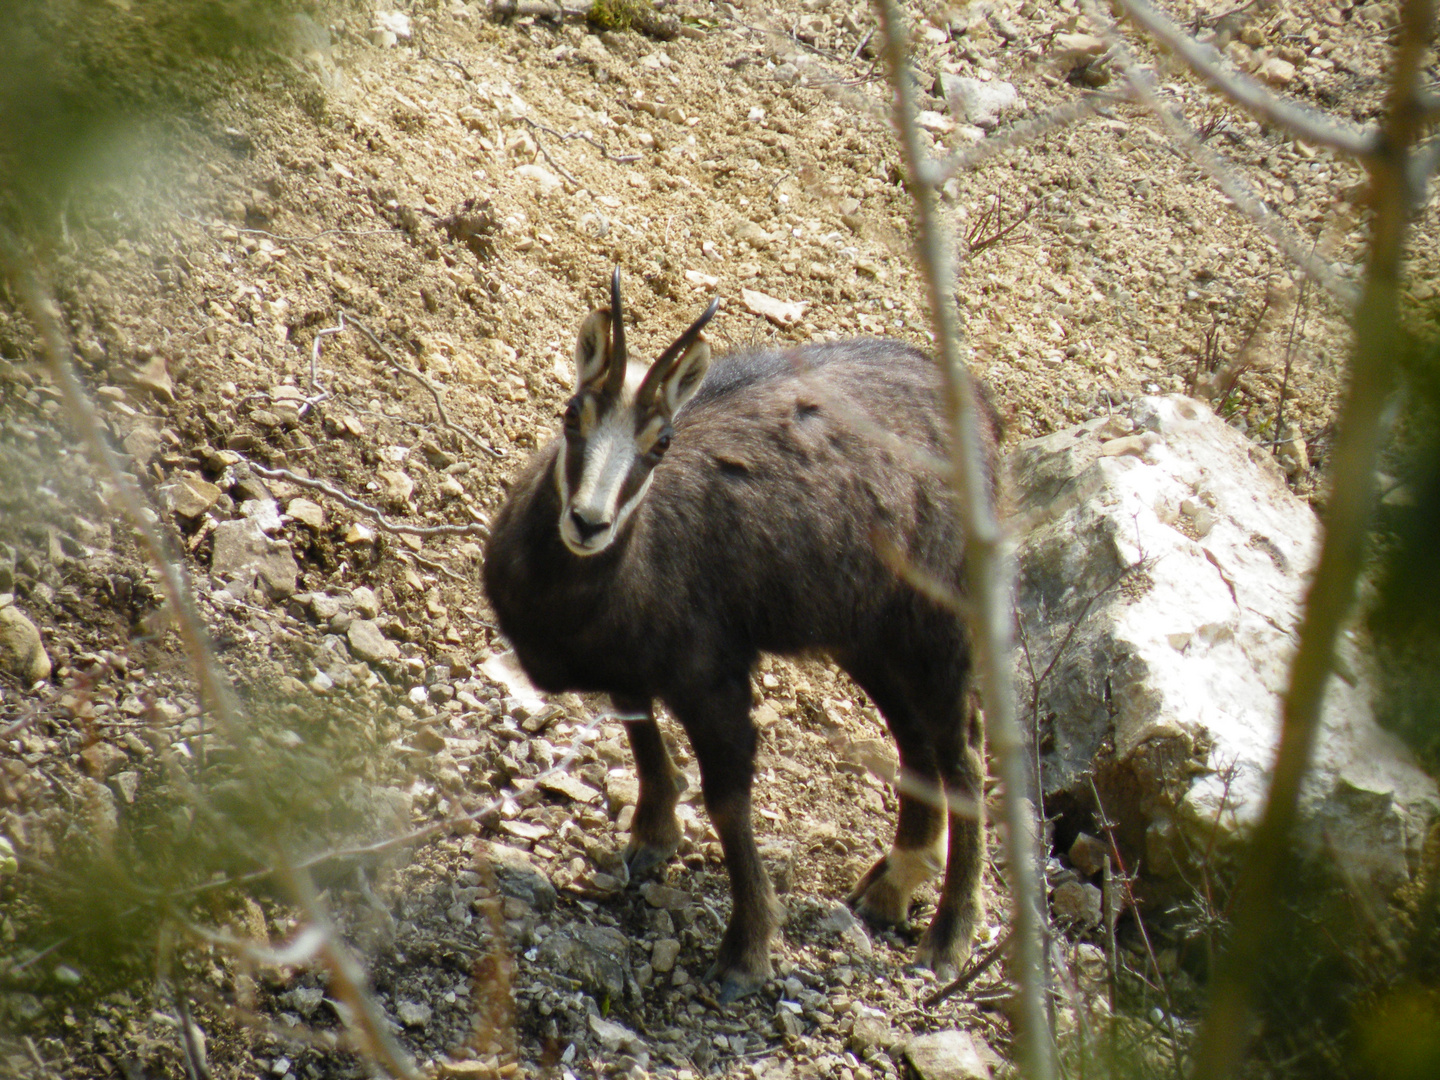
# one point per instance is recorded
(987, 568)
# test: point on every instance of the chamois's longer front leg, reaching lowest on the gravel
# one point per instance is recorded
(718, 721)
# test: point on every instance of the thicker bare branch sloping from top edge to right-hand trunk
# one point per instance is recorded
(1249, 94)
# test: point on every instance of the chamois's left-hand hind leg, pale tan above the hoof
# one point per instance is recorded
(918, 855)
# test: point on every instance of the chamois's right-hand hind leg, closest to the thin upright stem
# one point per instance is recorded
(947, 942)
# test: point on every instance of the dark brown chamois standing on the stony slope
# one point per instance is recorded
(762, 503)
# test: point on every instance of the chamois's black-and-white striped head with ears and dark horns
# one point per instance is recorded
(616, 433)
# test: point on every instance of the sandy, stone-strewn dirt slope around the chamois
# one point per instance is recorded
(300, 274)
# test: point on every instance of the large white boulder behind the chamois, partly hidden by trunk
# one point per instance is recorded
(1169, 692)
